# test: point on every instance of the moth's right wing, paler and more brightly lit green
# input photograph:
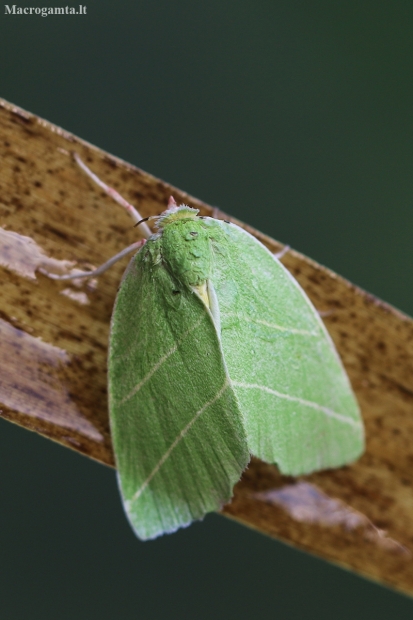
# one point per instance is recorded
(298, 406)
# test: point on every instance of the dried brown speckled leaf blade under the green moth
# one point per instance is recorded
(54, 337)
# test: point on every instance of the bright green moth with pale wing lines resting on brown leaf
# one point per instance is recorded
(216, 354)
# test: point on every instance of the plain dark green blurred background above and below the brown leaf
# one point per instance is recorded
(295, 117)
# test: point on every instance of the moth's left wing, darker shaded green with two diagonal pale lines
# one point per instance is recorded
(177, 431)
